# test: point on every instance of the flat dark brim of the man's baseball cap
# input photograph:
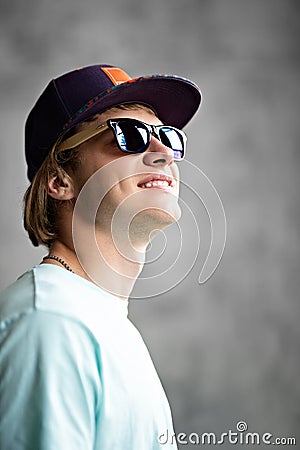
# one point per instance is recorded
(174, 99)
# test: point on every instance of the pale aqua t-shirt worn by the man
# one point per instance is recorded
(75, 373)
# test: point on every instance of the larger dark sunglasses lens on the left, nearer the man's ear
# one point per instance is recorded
(132, 136)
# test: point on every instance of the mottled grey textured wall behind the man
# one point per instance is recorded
(227, 350)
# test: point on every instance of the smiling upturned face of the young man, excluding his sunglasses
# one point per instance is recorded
(128, 184)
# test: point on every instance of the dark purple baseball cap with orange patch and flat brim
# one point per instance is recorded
(77, 95)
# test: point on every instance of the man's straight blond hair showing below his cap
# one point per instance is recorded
(40, 209)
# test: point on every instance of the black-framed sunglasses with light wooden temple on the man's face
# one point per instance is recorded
(133, 136)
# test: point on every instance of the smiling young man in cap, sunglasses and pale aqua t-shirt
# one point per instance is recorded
(101, 150)
